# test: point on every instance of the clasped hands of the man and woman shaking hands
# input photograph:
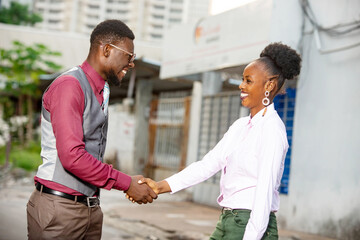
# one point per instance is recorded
(144, 190)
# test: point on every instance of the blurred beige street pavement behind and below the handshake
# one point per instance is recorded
(170, 217)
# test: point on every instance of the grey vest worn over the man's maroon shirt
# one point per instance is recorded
(95, 125)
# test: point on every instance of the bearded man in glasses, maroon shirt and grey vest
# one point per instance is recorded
(74, 122)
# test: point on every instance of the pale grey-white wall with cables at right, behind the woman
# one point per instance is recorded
(324, 191)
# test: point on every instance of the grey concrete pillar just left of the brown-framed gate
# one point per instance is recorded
(142, 107)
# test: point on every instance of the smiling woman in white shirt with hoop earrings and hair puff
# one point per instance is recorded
(250, 155)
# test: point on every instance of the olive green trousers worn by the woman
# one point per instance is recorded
(232, 224)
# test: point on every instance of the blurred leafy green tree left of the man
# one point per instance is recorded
(21, 66)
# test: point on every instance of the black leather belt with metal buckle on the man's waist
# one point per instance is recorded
(87, 201)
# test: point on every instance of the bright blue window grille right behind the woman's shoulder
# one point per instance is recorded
(285, 106)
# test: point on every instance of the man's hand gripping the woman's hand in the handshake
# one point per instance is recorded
(140, 193)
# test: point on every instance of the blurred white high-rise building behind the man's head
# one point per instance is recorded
(148, 18)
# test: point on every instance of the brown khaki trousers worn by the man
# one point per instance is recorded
(53, 217)
